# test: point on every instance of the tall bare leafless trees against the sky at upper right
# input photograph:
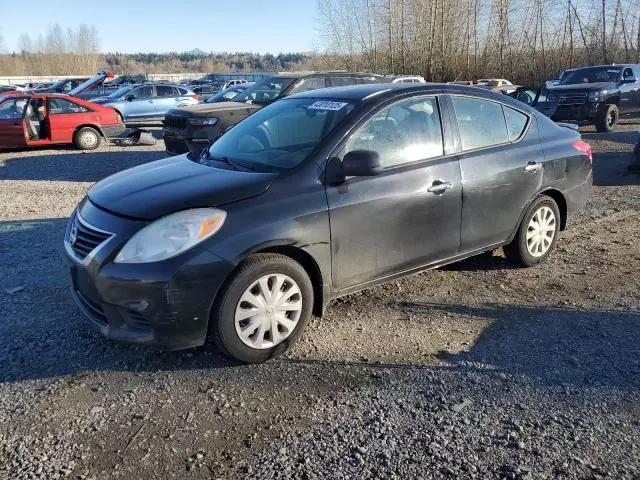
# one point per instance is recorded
(527, 41)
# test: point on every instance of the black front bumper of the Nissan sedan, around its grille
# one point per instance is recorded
(164, 303)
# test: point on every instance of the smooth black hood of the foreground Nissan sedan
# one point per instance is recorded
(165, 186)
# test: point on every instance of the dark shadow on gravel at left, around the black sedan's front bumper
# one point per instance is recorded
(44, 334)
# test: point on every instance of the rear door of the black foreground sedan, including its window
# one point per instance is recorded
(502, 166)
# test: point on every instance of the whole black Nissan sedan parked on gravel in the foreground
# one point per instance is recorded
(311, 198)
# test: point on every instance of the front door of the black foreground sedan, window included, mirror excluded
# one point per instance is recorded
(408, 215)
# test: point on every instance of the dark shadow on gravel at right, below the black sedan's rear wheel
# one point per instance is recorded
(554, 345)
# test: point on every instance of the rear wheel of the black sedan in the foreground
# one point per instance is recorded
(529, 252)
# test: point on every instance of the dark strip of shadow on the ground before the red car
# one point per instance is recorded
(76, 166)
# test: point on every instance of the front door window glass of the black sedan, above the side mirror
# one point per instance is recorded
(405, 132)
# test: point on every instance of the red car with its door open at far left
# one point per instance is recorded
(31, 120)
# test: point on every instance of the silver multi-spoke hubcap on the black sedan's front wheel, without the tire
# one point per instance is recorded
(268, 311)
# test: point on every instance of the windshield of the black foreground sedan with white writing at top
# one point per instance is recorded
(278, 137)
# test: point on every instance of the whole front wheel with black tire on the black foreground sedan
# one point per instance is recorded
(240, 296)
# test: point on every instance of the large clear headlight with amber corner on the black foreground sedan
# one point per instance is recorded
(171, 235)
